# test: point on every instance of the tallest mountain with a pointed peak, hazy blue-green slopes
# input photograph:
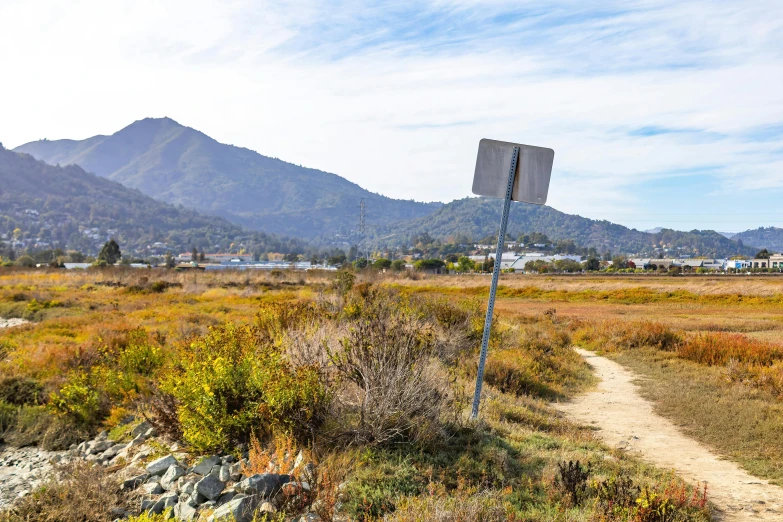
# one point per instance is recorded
(183, 166)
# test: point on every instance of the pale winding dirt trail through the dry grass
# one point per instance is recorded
(627, 421)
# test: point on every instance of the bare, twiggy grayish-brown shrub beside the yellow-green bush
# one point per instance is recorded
(387, 357)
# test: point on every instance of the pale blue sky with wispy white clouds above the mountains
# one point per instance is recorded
(661, 113)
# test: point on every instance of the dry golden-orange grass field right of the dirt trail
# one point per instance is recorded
(710, 348)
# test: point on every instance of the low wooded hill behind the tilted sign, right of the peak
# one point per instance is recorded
(480, 217)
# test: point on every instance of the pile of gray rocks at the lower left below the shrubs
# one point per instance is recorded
(211, 488)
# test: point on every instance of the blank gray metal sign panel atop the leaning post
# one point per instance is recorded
(534, 168)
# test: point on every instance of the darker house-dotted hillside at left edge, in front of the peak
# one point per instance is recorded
(66, 207)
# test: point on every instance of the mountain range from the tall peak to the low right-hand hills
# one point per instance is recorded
(182, 166)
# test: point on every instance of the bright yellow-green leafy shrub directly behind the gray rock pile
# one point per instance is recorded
(234, 381)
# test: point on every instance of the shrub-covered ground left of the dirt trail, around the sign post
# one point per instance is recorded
(371, 379)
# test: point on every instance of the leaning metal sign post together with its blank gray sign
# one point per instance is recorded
(495, 159)
